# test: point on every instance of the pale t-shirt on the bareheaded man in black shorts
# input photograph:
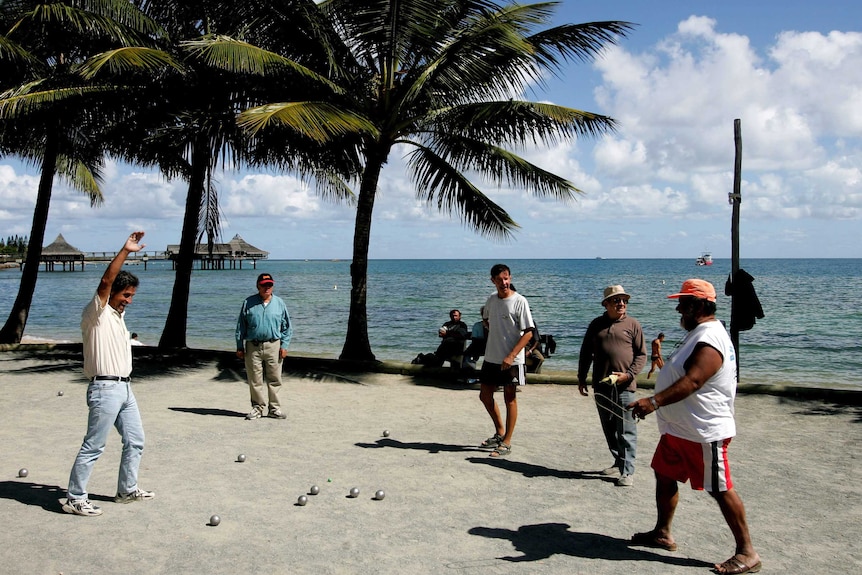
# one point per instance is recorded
(507, 320)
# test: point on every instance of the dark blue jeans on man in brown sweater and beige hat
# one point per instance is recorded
(618, 425)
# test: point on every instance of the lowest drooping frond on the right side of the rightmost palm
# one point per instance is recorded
(438, 182)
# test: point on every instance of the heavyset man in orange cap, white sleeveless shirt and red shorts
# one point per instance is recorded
(694, 407)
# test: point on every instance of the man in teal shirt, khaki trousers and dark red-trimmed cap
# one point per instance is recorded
(263, 333)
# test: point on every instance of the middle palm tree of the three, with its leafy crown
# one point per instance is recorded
(193, 130)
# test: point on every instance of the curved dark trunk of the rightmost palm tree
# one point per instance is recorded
(357, 347)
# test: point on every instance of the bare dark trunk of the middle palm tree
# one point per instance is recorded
(174, 334)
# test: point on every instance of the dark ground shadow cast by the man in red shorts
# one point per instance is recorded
(537, 542)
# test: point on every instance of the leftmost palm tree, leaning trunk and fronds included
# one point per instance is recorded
(49, 115)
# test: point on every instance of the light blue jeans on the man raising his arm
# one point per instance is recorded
(111, 403)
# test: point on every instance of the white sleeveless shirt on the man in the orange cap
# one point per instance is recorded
(707, 414)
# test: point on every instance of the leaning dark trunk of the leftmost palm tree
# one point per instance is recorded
(13, 330)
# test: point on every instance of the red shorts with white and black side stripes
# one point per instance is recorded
(704, 465)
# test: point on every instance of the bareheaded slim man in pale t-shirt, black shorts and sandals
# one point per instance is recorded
(510, 328)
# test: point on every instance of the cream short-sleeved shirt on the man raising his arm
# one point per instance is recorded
(107, 350)
